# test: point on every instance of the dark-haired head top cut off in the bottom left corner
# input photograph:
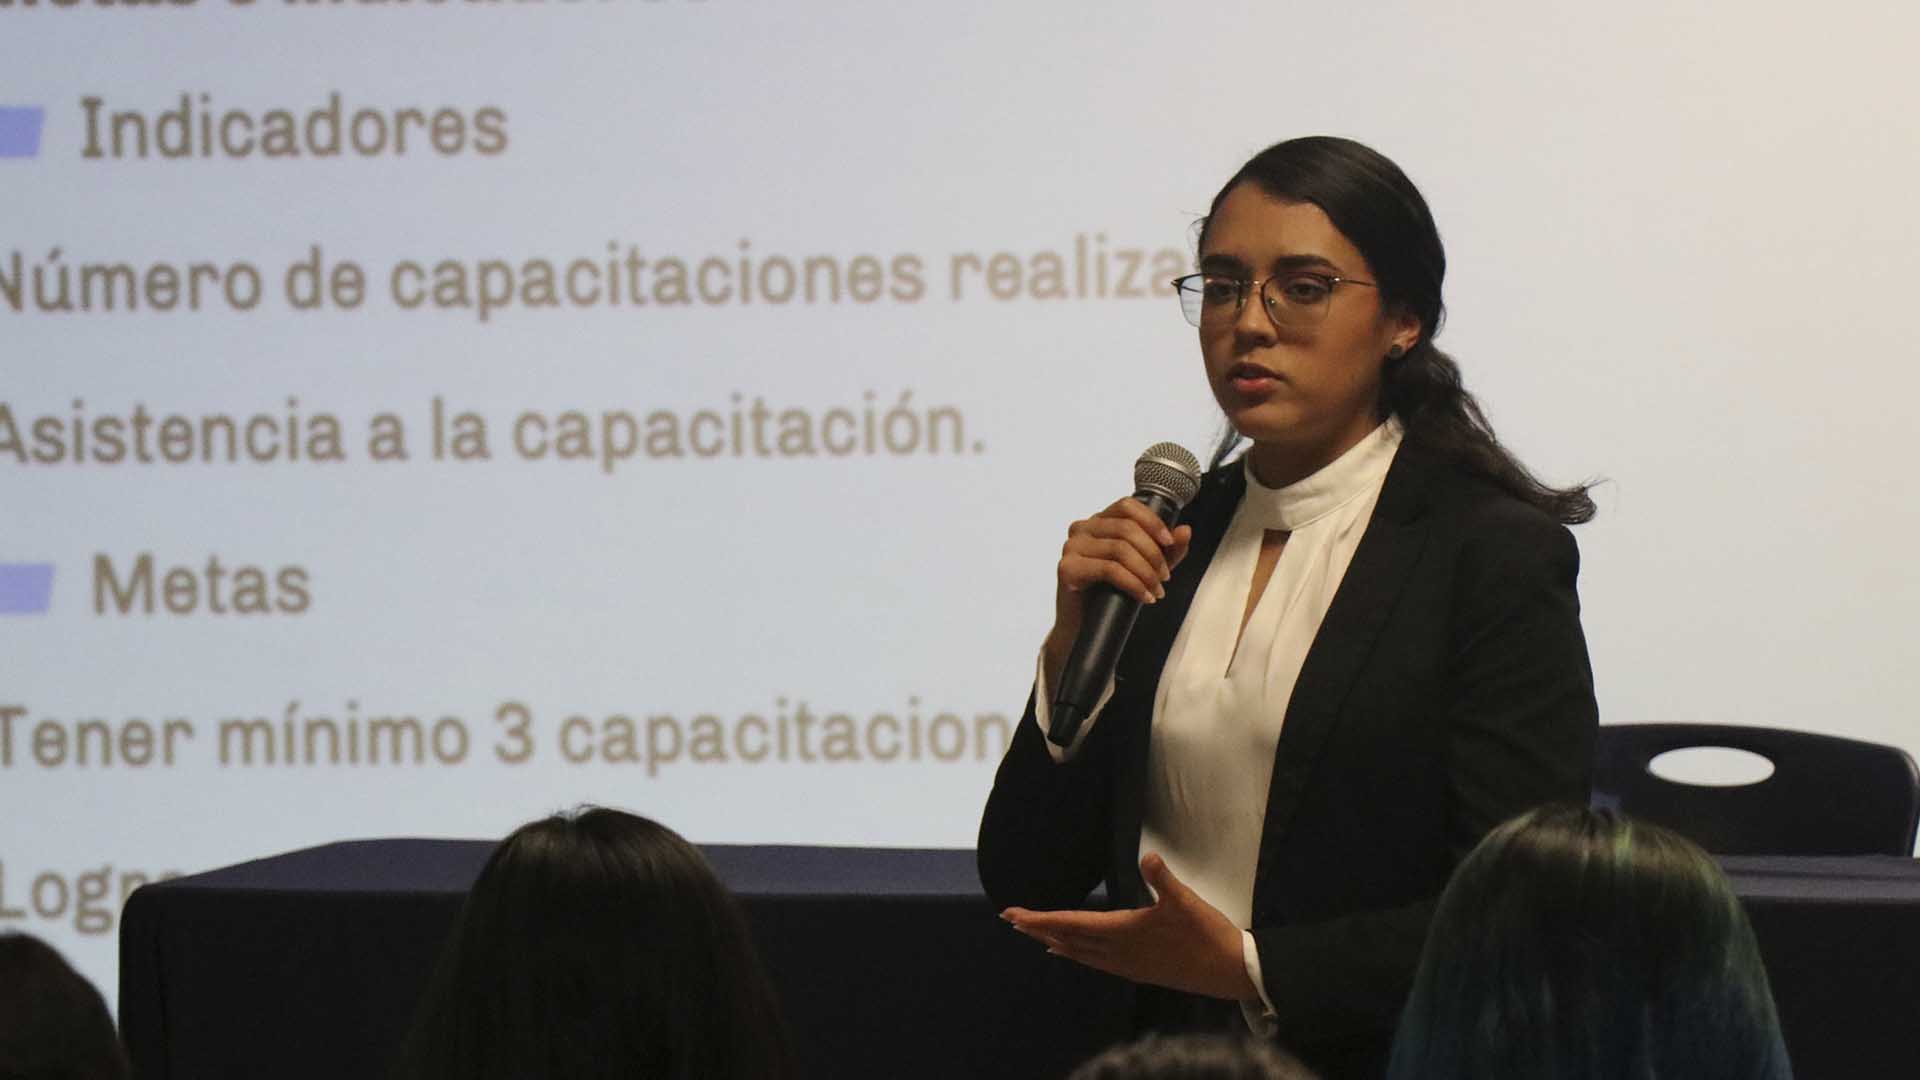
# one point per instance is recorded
(53, 1023)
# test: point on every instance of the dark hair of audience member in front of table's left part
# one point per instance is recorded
(598, 945)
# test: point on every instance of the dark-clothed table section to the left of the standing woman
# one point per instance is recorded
(310, 966)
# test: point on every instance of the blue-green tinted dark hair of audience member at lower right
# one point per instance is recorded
(1579, 945)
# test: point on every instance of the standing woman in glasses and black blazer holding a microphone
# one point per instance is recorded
(1358, 654)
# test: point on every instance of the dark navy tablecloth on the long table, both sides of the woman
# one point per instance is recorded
(888, 964)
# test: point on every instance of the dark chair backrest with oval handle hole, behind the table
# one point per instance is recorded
(1827, 797)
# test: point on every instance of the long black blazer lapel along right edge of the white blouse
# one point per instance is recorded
(1360, 608)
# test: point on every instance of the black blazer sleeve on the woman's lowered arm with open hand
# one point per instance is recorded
(1518, 710)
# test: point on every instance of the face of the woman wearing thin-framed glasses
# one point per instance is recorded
(1310, 393)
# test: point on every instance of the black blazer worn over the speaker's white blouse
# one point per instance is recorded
(1449, 689)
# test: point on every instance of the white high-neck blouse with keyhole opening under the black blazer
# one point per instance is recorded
(1218, 710)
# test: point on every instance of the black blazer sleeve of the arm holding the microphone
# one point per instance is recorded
(1044, 839)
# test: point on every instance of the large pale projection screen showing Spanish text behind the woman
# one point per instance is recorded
(421, 416)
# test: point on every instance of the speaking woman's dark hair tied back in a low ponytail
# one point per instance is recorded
(1376, 207)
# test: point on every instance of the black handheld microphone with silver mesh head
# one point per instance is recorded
(1166, 479)
